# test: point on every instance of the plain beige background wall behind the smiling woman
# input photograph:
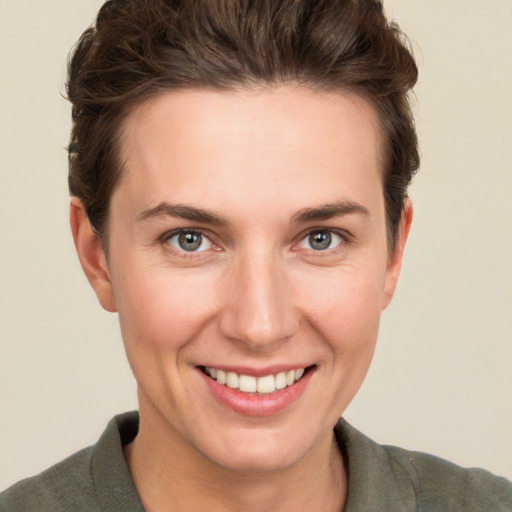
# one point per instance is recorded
(441, 379)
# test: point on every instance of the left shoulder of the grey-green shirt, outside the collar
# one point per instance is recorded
(66, 486)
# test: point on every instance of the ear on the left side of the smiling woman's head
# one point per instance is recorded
(91, 255)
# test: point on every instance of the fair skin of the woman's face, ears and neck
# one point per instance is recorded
(246, 236)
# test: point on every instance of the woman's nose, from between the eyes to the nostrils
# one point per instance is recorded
(258, 305)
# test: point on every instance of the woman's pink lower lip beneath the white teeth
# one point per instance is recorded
(258, 405)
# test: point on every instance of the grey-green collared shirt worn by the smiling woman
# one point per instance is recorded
(381, 479)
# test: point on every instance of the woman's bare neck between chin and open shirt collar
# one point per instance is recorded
(169, 474)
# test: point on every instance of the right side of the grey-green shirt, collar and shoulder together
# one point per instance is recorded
(413, 481)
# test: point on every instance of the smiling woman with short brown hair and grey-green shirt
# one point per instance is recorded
(239, 174)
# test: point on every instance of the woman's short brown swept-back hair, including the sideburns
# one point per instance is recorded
(140, 48)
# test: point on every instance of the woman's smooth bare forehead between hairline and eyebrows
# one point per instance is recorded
(251, 147)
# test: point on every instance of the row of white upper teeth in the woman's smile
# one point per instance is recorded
(250, 384)
